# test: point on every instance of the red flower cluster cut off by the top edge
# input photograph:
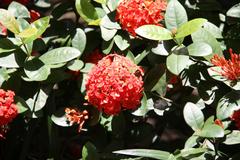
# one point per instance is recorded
(134, 13)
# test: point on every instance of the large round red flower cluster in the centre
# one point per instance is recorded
(115, 83)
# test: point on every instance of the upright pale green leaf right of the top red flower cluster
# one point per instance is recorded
(175, 15)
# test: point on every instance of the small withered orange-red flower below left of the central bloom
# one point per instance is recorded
(76, 116)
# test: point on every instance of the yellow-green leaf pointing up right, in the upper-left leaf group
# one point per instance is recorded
(41, 25)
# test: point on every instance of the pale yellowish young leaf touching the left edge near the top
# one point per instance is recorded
(9, 21)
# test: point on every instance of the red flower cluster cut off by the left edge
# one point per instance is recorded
(8, 110)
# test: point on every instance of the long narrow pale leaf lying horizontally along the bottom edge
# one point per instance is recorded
(149, 153)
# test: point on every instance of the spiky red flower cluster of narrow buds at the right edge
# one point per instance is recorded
(230, 69)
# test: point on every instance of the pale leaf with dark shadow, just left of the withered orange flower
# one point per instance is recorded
(60, 119)
